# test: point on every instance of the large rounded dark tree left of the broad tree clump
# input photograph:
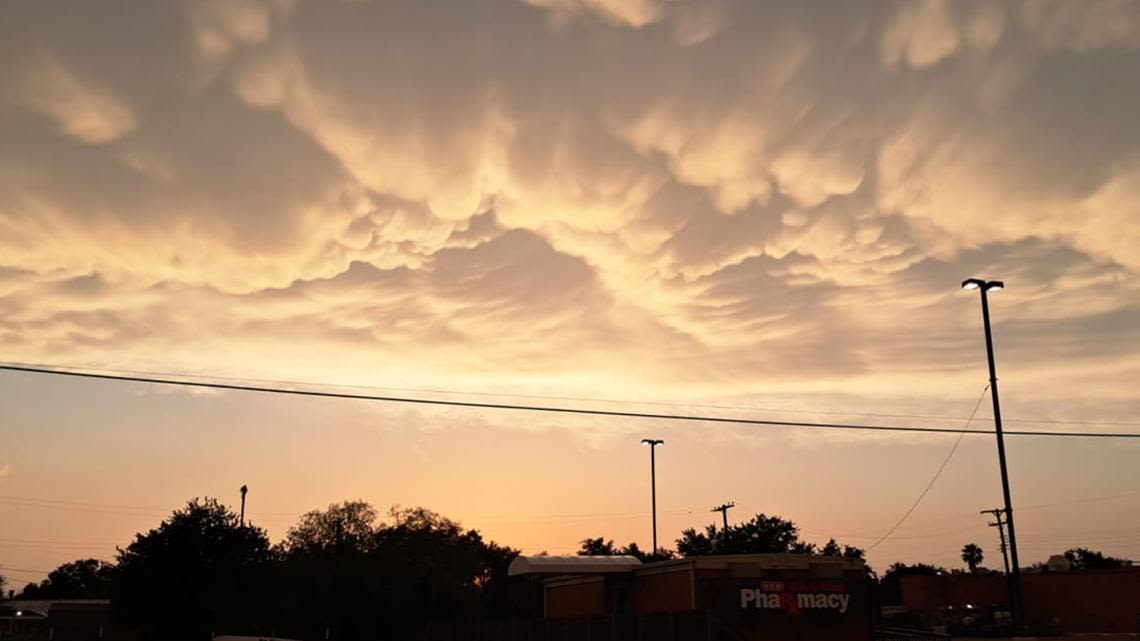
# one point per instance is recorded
(200, 572)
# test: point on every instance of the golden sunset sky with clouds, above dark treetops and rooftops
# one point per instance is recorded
(734, 208)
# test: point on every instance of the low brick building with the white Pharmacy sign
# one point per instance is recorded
(748, 597)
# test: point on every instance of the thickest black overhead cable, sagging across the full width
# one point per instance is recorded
(555, 410)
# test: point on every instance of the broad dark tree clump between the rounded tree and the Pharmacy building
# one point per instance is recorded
(361, 579)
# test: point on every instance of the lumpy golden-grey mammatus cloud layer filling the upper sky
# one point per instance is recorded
(714, 198)
